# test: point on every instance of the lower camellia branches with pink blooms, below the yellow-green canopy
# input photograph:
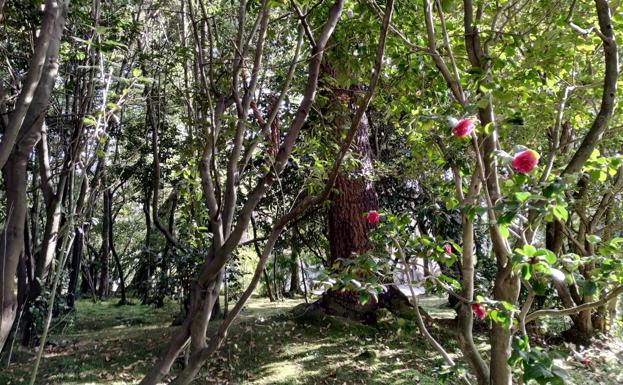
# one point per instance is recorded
(529, 266)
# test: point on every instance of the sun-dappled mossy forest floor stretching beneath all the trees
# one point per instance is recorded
(106, 344)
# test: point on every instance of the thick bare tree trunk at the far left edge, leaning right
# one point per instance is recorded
(23, 130)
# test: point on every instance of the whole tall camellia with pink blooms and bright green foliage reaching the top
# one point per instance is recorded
(542, 199)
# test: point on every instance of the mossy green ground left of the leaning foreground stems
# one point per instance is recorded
(105, 344)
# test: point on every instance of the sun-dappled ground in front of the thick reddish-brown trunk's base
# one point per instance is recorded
(282, 352)
